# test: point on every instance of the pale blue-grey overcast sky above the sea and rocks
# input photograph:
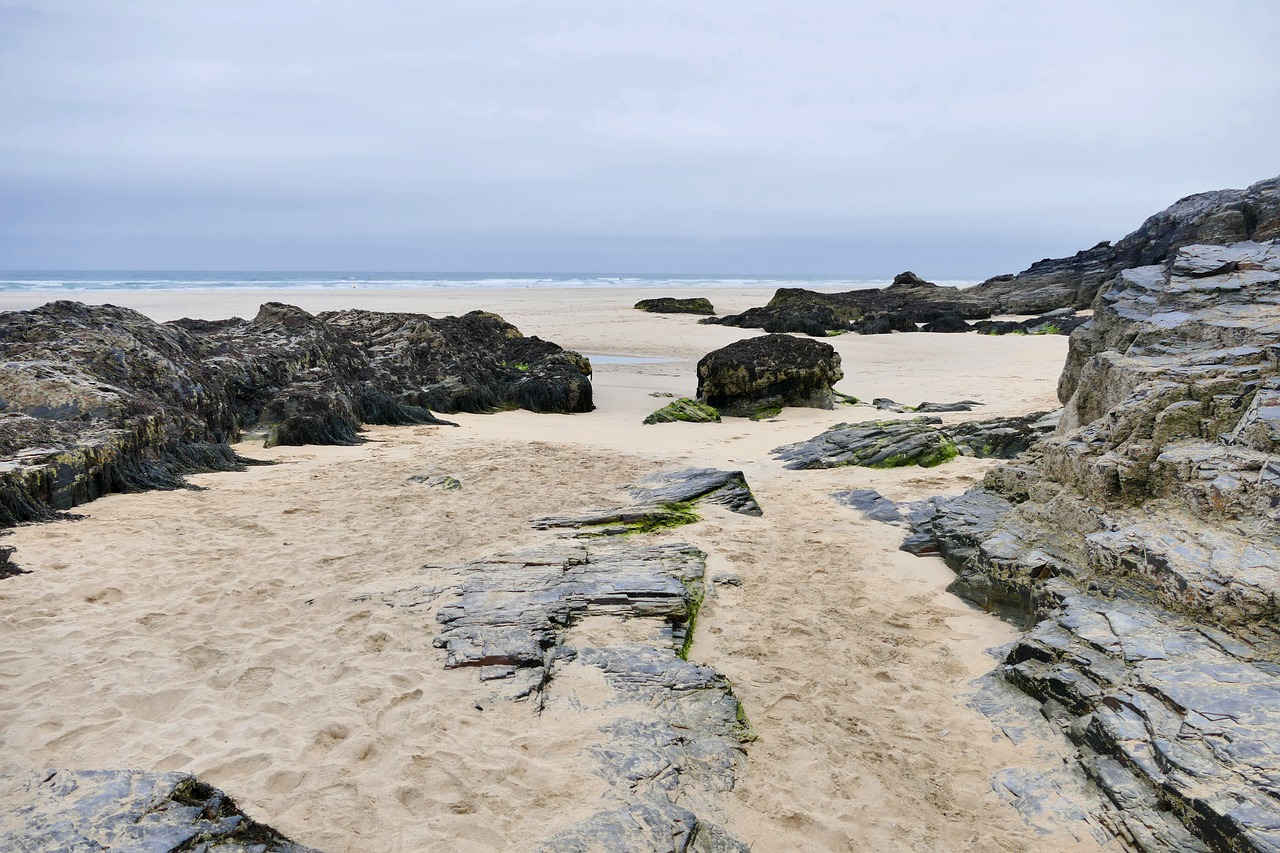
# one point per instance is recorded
(959, 139)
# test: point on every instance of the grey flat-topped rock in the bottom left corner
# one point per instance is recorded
(53, 811)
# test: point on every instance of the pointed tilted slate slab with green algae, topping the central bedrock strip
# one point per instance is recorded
(665, 500)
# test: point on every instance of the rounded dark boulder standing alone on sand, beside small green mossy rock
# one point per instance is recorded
(767, 373)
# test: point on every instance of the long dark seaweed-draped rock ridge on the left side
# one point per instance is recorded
(102, 399)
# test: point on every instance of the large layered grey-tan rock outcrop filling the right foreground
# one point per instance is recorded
(1142, 542)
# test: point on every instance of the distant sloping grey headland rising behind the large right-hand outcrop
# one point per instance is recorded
(1222, 217)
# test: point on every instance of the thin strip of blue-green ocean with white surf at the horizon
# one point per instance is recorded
(79, 281)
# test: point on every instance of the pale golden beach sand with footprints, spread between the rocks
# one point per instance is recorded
(221, 632)
